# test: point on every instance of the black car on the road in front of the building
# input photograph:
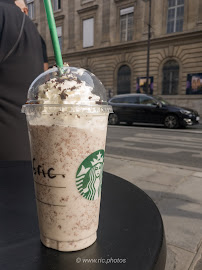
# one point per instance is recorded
(142, 108)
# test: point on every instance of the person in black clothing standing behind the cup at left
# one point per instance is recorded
(21, 61)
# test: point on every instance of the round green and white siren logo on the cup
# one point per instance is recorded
(89, 176)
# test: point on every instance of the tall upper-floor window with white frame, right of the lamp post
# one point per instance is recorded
(175, 16)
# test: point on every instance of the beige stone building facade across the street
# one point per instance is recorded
(110, 38)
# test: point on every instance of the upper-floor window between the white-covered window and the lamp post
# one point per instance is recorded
(126, 24)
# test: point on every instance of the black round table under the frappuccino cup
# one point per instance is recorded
(130, 234)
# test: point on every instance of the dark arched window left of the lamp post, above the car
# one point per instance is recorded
(123, 81)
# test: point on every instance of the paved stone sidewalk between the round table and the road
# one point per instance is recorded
(177, 191)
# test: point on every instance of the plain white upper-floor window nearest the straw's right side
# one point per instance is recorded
(88, 33)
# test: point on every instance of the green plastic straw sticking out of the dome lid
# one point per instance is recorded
(54, 36)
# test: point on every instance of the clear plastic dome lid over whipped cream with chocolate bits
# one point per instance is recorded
(76, 86)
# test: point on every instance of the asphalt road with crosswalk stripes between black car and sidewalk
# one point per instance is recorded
(181, 147)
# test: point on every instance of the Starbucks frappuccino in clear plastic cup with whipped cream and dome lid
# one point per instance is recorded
(67, 121)
